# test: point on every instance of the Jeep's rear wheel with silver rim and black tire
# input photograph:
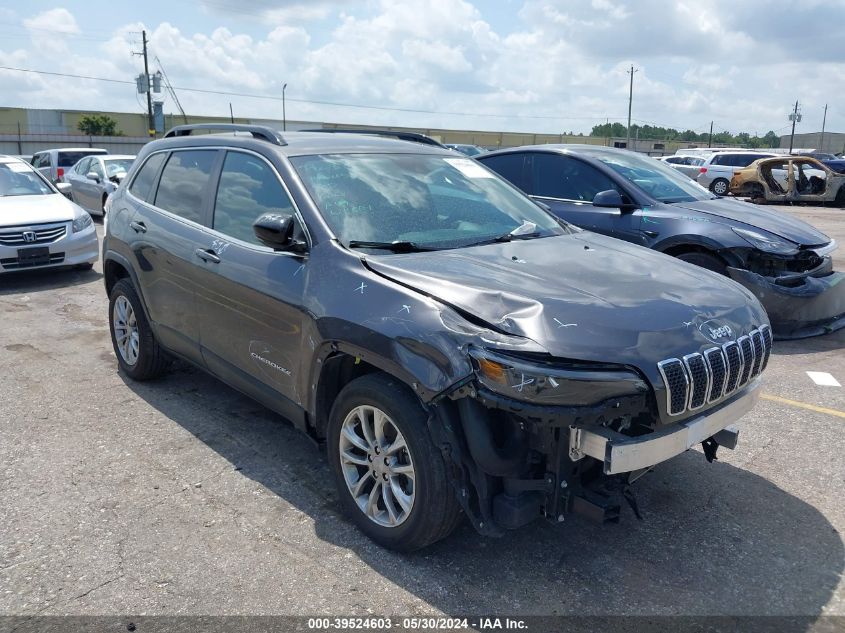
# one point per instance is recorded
(137, 351)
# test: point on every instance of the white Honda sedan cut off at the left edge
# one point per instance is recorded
(40, 227)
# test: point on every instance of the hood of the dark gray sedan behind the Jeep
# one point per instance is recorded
(780, 224)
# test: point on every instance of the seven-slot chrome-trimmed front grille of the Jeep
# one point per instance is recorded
(717, 373)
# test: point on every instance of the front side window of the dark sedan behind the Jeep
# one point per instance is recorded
(556, 176)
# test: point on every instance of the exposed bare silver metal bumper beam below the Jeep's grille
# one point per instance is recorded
(621, 454)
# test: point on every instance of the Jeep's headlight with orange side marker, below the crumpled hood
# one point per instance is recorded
(553, 383)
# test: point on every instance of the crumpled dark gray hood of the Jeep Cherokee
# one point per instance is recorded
(582, 296)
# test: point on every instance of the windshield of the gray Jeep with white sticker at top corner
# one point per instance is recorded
(430, 201)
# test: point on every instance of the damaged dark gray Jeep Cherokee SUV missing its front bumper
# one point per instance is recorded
(458, 349)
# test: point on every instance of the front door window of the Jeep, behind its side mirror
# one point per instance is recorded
(248, 188)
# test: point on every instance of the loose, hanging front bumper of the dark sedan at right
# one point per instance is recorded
(799, 305)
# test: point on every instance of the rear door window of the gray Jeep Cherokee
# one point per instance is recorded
(184, 181)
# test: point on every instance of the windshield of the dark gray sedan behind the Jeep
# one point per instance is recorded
(654, 177)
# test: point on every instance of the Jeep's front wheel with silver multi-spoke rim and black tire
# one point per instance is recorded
(390, 477)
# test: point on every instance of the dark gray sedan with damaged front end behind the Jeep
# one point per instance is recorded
(785, 262)
